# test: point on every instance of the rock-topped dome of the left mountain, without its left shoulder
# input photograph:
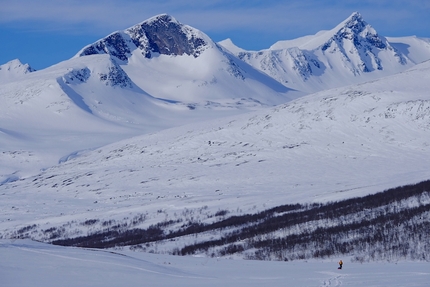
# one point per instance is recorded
(176, 62)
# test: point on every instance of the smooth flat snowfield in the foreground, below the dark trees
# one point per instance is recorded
(26, 263)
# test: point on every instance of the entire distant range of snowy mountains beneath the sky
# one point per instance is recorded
(161, 73)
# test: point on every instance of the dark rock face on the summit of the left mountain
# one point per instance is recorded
(161, 35)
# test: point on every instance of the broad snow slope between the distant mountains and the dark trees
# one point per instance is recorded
(332, 145)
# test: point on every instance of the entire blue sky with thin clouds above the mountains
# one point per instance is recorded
(45, 32)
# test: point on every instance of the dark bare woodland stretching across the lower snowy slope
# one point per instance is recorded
(390, 225)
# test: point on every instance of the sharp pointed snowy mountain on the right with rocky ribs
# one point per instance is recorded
(352, 52)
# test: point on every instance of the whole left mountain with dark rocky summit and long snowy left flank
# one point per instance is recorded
(157, 74)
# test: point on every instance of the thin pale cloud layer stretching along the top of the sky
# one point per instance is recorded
(271, 16)
